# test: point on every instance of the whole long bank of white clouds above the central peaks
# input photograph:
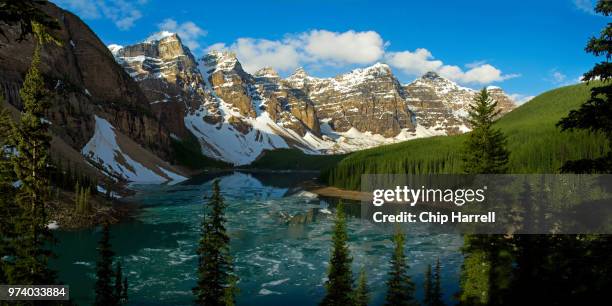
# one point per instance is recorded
(321, 48)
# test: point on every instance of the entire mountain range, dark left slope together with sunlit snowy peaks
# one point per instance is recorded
(119, 108)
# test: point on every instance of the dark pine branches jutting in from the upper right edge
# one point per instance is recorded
(595, 114)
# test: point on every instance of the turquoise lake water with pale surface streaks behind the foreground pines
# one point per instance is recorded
(280, 241)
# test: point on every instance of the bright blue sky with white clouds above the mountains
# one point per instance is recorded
(525, 47)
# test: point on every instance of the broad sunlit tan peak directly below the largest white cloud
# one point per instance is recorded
(369, 100)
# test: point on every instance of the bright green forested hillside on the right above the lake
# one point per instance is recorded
(535, 143)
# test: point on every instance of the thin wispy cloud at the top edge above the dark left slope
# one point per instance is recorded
(122, 13)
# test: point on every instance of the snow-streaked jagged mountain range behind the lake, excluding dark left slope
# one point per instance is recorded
(236, 115)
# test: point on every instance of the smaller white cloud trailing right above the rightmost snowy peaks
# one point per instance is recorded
(421, 61)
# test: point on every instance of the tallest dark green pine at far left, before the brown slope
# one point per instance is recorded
(31, 140)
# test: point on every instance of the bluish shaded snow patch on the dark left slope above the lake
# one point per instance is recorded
(104, 151)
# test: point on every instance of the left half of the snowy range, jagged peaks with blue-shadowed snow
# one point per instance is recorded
(234, 114)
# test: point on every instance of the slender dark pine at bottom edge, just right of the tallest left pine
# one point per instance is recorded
(105, 295)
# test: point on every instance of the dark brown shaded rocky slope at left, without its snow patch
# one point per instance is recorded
(85, 81)
